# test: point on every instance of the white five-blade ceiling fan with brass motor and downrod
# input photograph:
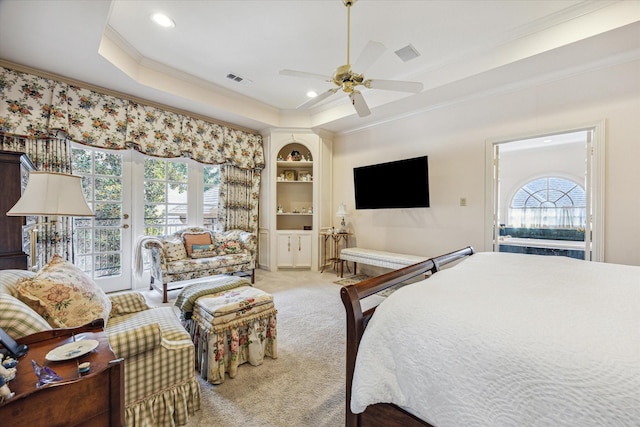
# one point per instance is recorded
(348, 81)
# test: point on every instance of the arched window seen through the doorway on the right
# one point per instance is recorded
(549, 202)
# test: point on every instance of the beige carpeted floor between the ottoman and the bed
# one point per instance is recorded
(305, 385)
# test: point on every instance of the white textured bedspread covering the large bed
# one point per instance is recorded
(506, 339)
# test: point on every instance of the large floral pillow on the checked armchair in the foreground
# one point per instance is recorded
(64, 295)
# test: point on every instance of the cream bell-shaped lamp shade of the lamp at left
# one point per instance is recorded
(52, 194)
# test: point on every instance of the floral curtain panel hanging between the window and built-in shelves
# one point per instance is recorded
(239, 194)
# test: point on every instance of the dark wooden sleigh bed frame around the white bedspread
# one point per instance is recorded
(382, 414)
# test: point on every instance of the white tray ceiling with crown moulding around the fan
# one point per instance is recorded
(468, 48)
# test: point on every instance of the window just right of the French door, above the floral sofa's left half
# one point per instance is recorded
(165, 196)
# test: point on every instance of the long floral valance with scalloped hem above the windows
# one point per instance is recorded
(34, 106)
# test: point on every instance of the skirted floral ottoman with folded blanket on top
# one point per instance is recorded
(230, 323)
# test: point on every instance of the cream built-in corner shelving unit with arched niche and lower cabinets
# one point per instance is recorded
(294, 200)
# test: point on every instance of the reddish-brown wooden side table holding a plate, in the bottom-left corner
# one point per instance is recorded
(95, 398)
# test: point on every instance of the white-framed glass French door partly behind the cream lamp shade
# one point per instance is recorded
(103, 244)
